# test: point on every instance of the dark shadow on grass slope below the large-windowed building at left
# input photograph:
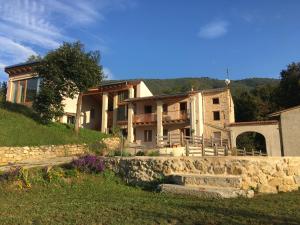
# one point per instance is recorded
(22, 109)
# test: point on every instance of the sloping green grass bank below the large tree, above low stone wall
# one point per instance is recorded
(20, 126)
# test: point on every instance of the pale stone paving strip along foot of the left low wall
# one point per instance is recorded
(39, 163)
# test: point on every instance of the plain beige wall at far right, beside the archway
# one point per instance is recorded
(290, 127)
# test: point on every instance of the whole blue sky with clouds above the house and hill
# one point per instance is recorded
(159, 38)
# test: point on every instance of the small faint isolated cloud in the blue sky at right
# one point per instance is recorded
(213, 30)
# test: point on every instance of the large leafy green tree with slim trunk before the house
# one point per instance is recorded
(66, 72)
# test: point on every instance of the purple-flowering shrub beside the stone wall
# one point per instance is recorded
(89, 164)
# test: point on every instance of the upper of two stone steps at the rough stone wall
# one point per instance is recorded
(206, 179)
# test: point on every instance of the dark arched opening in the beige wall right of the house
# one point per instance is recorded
(251, 140)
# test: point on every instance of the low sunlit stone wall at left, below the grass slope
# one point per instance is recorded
(16, 154)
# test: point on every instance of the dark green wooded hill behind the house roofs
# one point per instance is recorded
(176, 85)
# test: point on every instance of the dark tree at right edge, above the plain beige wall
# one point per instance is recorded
(288, 93)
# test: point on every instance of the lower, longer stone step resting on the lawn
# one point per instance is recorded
(205, 191)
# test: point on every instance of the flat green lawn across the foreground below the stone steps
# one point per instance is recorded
(104, 199)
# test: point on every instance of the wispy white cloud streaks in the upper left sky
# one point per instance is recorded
(26, 25)
